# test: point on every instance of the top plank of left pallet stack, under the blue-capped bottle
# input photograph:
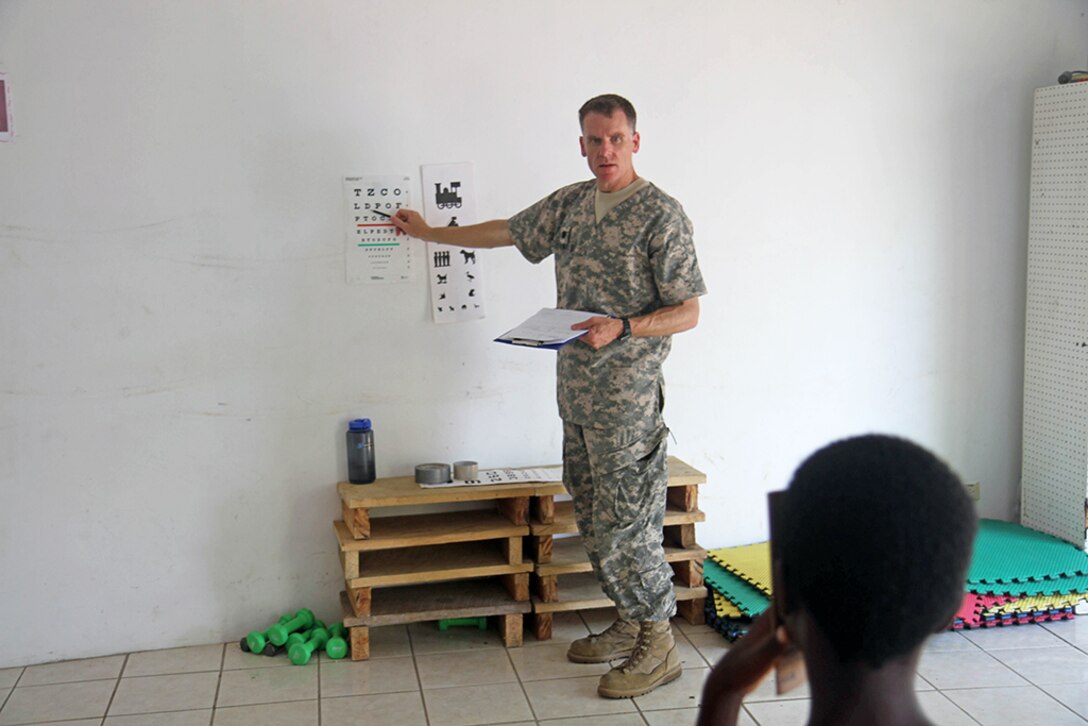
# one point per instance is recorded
(404, 491)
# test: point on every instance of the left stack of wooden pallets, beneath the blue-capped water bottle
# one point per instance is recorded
(416, 568)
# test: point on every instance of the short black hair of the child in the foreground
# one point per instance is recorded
(876, 539)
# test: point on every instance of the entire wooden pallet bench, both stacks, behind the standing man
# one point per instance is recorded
(431, 567)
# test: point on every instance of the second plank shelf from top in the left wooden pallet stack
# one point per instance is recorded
(423, 530)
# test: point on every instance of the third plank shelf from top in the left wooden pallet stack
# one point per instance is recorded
(430, 564)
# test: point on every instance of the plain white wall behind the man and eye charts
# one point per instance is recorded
(181, 353)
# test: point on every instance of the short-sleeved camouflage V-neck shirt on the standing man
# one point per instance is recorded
(639, 259)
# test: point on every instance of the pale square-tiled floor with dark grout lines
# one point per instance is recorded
(1029, 675)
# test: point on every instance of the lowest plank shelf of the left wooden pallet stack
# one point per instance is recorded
(419, 604)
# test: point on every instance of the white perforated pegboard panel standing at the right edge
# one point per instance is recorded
(1055, 476)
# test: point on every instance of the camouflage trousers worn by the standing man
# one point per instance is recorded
(617, 479)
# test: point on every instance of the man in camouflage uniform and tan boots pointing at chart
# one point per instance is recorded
(623, 249)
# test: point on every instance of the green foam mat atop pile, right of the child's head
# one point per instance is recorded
(1010, 553)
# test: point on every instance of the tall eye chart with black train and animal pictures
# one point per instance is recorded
(456, 284)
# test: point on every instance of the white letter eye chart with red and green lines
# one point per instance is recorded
(376, 251)
